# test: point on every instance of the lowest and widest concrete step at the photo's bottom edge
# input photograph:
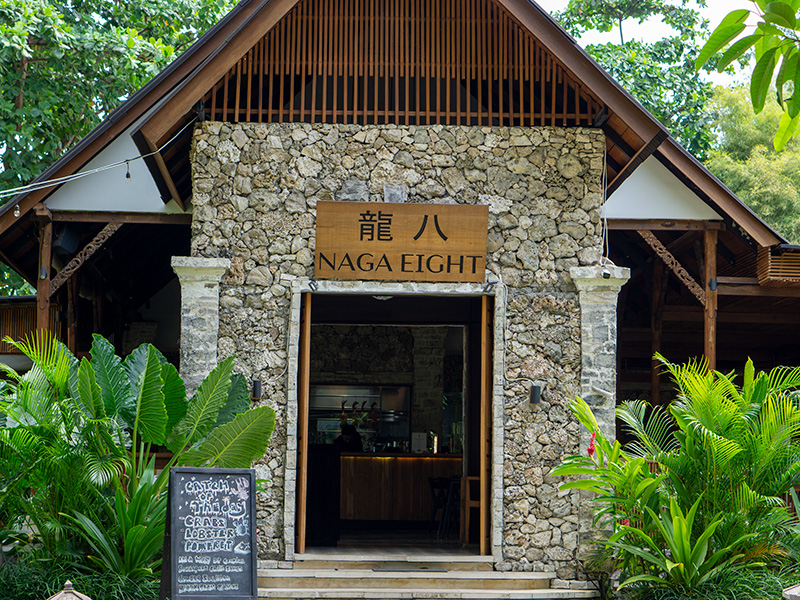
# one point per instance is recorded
(427, 593)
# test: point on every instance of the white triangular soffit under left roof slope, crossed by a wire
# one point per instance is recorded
(109, 190)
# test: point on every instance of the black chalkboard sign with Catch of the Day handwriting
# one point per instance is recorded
(212, 533)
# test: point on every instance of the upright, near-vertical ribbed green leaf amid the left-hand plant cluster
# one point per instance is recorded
(150, 418)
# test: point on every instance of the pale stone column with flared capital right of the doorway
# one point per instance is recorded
(598, 299)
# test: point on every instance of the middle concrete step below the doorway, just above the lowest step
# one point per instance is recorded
(401, 577)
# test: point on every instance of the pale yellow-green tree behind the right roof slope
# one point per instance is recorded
(744, 159)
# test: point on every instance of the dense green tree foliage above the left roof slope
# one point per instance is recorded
(65, 65)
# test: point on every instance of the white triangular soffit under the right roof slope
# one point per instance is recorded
(653, 192)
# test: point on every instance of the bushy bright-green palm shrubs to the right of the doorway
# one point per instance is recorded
(700, 487)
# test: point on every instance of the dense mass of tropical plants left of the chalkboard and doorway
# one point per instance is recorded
(75, 449)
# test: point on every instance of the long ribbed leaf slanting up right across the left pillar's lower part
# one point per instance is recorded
(203, 408)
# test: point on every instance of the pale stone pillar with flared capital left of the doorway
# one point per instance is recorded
(199, 278)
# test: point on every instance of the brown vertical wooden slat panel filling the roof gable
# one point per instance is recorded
(419, 62)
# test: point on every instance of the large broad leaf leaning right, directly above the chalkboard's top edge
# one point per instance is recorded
(238, 443)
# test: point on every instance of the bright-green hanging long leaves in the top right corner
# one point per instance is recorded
(776, 41)
